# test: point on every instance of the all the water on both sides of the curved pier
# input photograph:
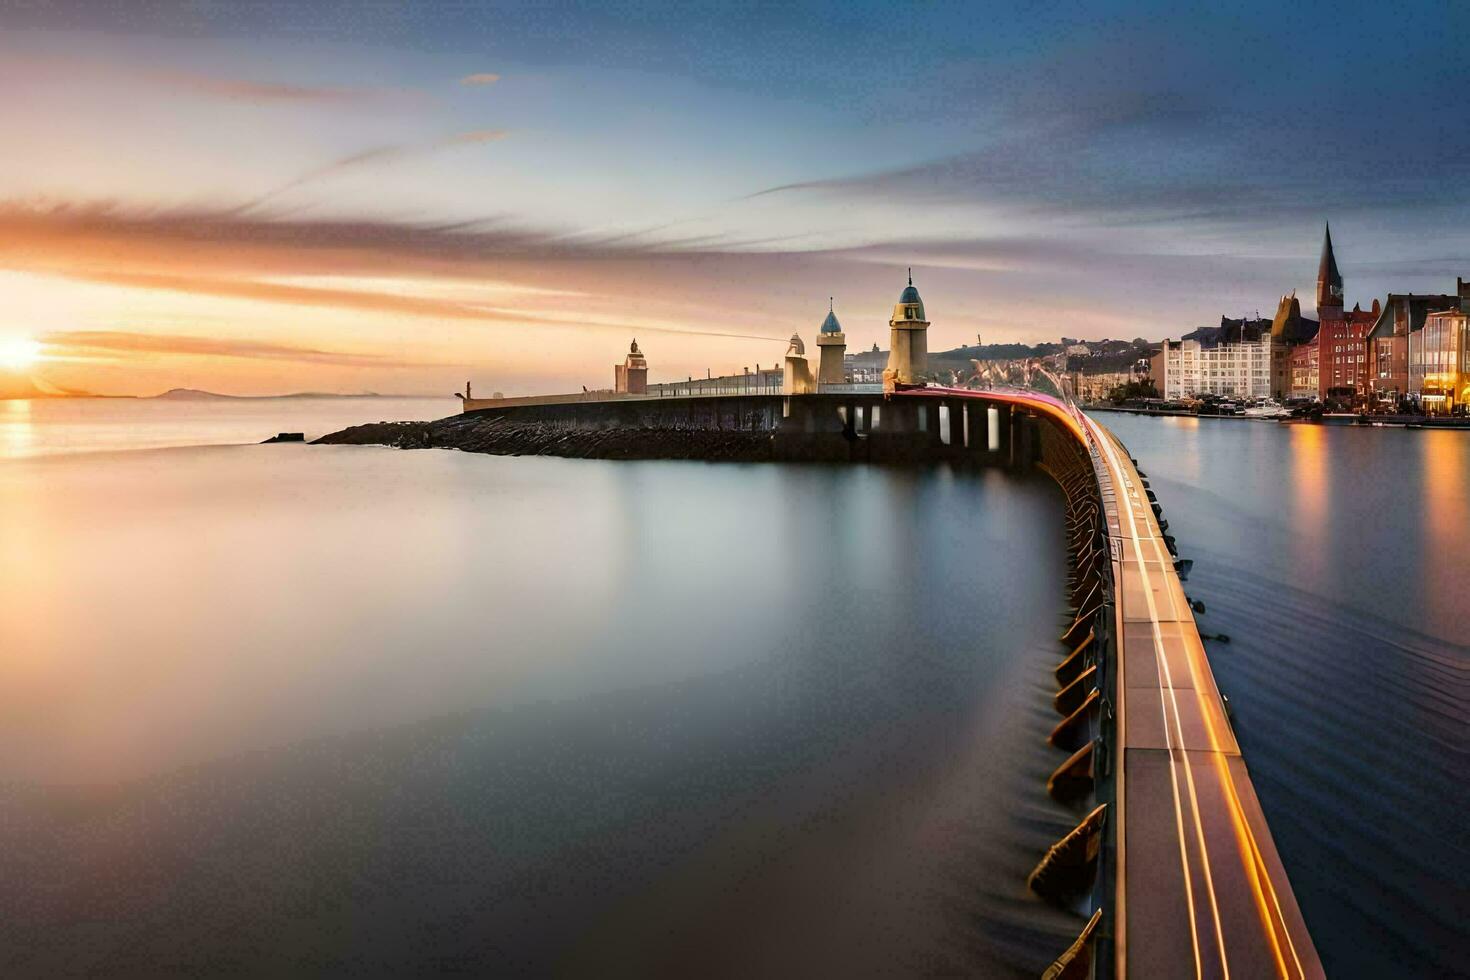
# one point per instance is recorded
(292, 709)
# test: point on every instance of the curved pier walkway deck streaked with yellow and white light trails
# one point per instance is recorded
(1199, 887)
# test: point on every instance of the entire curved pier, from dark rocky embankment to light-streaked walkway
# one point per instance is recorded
(1174, 865)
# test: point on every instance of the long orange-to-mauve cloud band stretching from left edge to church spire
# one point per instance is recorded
(1009, 286)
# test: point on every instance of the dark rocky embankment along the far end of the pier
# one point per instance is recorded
(511, 437)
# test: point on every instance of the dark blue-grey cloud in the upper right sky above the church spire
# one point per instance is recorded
(1100, 134)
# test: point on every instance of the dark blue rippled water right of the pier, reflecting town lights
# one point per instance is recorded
(1338, 562)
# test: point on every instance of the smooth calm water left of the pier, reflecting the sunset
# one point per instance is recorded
(327, 709)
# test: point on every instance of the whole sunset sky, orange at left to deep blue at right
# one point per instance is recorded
(398, 198)
